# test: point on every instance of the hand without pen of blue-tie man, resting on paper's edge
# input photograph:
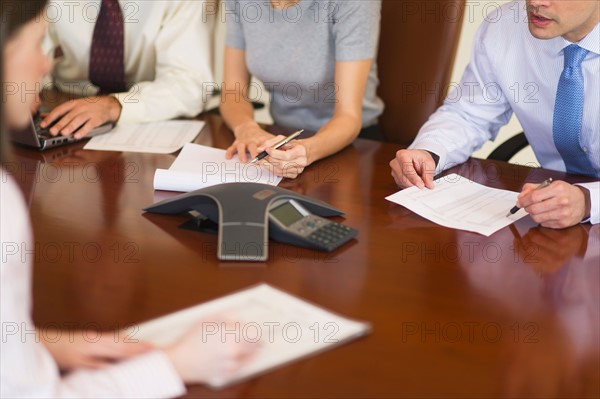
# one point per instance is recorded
(413, 168)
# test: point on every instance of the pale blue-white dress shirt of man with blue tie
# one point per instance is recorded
(512, 71)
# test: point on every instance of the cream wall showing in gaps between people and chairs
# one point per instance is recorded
(474, 15)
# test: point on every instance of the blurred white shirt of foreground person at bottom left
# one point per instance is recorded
(27, 369)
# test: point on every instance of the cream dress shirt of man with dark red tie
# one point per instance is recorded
(168, 54)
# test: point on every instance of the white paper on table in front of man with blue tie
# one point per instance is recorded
(462, 204)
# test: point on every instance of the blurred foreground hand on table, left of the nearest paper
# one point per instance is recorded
(90, 349)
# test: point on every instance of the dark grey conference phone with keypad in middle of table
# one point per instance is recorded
(248, 214)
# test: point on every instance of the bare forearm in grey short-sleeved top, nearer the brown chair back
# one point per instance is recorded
(338, 133)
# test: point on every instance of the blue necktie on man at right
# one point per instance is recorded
(568, 113)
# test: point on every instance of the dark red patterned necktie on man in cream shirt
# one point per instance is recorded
(107, 62)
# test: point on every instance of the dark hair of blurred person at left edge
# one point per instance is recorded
(14, 14)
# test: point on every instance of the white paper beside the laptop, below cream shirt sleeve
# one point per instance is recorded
(157, 137)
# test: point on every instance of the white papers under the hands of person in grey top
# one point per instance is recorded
(199, 166)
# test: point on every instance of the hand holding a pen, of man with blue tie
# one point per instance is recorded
(558, 206)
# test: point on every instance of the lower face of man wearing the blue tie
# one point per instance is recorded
(571, 19)
